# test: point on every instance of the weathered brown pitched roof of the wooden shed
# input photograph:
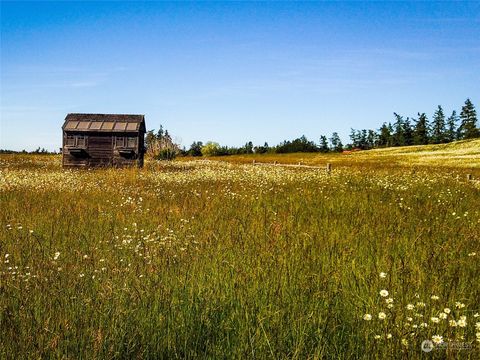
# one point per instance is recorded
(104, 122)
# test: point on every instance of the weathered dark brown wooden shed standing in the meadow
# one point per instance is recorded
(98, 140)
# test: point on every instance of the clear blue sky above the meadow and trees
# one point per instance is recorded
(233, 72)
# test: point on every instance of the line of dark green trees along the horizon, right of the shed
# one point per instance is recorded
(403, 131)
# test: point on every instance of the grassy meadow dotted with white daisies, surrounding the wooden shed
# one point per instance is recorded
(215, 260)
